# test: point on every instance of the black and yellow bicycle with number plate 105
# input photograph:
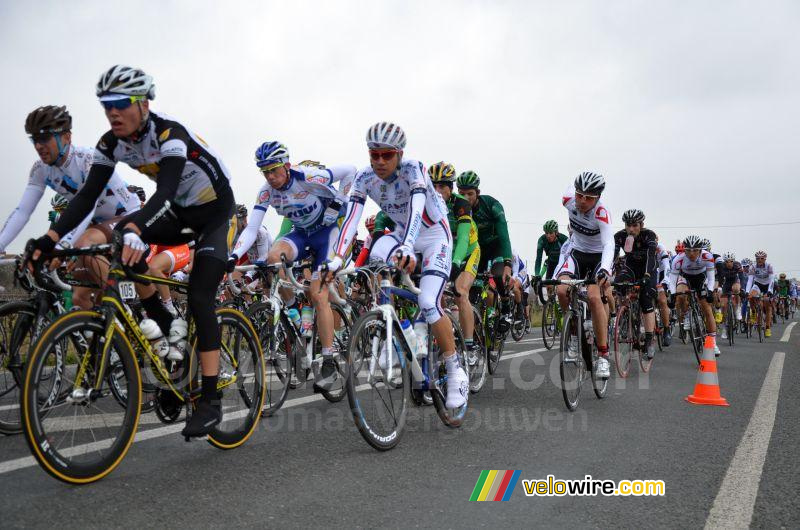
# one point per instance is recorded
(80, 454)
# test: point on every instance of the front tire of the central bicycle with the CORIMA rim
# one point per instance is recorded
(359, 353)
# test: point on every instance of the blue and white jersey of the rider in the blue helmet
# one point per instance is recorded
(303, 199)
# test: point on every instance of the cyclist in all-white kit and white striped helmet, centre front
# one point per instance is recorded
(405, 193)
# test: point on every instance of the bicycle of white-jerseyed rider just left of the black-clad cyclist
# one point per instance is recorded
(578, 352)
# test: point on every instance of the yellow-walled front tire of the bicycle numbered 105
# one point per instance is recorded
(61, 464)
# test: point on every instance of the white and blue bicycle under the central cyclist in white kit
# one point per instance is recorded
(376, 333)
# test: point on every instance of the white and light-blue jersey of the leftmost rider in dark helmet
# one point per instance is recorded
(67, 180)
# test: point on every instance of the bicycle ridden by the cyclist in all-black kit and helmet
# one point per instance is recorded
(629, 329)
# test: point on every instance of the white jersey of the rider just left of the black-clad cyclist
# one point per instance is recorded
(591, 231)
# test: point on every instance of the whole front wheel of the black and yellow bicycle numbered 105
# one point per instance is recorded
(82, 436)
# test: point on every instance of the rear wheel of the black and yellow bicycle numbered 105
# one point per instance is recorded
(241, 385)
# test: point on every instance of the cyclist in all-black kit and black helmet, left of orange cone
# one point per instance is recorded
(641, 258)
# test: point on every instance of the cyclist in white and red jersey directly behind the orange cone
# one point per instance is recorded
(695, 266)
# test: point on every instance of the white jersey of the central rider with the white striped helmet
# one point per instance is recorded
(407, 197)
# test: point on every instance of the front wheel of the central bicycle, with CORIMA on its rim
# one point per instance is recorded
(378, 406)
